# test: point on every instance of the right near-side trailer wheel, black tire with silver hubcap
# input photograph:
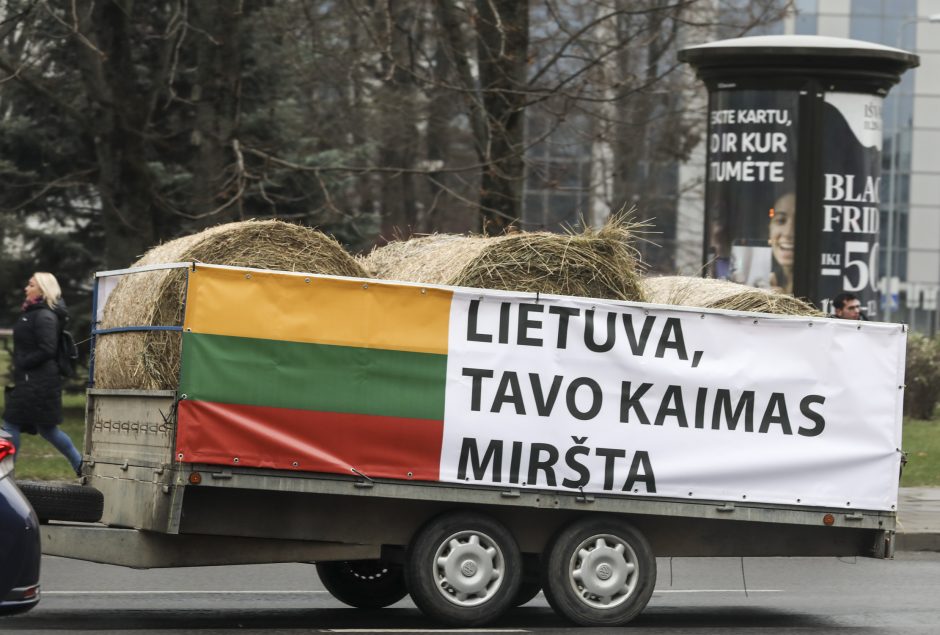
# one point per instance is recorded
(599, 572)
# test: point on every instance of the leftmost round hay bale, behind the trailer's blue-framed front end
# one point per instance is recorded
(150, 360)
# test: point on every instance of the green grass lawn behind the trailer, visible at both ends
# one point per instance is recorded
(38, 460)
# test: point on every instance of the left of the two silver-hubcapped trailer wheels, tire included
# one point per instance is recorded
(463, 569)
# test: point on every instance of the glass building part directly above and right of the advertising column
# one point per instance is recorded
(909, 267)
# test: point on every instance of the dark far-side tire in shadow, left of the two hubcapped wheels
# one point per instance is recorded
(364, 584)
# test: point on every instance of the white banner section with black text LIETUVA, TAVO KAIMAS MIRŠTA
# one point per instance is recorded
(602, 397)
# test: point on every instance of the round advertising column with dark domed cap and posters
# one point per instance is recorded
(794, 162)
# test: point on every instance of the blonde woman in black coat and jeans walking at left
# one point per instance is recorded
(35, 402)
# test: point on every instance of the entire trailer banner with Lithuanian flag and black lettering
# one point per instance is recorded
(501, 389)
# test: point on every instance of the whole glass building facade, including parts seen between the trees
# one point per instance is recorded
(566, 168)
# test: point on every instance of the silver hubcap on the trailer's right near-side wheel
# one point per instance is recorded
(603, 571)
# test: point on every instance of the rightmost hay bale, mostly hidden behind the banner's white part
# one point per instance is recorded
(708, 293)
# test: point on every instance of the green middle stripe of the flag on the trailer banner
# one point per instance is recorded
(303, 376)
